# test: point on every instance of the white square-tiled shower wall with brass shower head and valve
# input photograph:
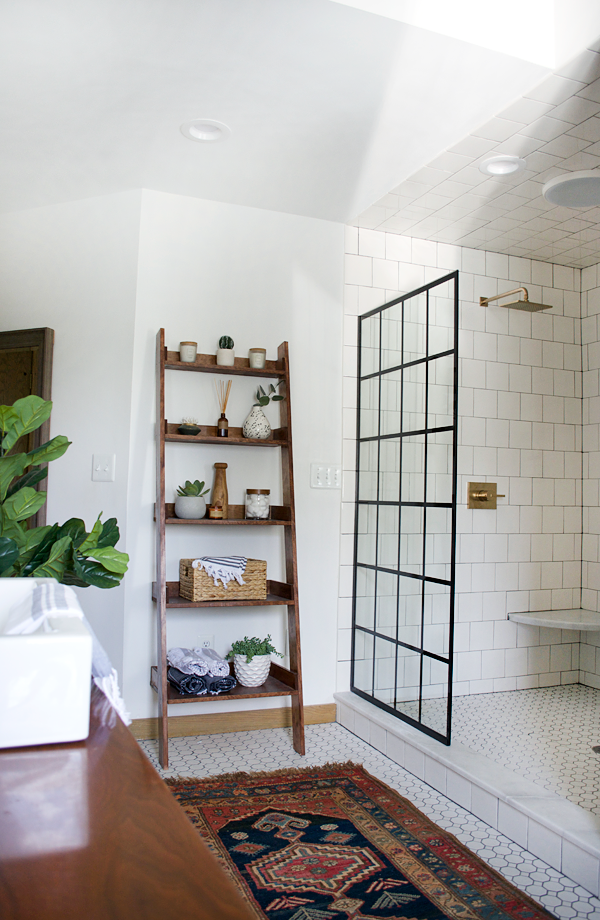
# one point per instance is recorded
(520, 425)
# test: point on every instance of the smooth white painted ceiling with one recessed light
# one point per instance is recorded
(329, 106)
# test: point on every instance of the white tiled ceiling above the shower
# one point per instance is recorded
(556, 127)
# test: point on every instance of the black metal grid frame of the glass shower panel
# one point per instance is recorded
(377, 503)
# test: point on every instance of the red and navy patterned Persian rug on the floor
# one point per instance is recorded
(333, 842)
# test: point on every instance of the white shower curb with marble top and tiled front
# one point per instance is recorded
(564, 835)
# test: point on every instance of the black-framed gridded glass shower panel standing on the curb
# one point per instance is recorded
(405, 528)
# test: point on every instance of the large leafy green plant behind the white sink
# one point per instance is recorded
(66, 552)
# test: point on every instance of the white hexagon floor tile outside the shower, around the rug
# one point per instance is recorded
(272, 749)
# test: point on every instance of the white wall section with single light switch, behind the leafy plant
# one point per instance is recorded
(73, 267)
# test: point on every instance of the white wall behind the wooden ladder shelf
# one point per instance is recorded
(207, 269)
